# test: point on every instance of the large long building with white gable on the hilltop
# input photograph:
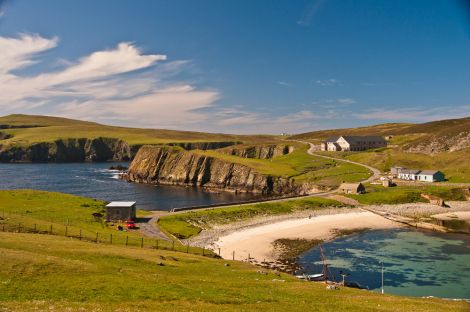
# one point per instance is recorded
(353, 143)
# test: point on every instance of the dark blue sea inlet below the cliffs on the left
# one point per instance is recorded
(96, 181)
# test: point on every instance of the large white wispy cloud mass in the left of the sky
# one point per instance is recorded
(121, 84)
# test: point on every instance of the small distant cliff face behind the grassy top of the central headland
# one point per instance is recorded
(259, 151)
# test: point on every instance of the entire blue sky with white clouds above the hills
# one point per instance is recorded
(236, 66)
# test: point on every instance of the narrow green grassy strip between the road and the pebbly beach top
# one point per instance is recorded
(188, 224)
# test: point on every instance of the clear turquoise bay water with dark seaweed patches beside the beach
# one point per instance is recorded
(416, 263)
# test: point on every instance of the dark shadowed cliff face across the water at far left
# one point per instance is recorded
(71, 150)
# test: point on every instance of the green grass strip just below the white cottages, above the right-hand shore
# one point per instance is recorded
(405, 194)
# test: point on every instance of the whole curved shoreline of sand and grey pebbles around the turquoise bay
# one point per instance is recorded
(252, 240)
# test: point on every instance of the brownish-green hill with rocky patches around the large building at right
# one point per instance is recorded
(441, 145)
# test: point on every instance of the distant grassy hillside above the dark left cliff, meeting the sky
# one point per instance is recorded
(49, 129)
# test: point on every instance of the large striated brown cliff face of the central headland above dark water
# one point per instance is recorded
(160, 165)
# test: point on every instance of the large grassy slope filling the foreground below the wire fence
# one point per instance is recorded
(42, 272)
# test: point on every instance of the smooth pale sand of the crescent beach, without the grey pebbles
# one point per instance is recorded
(257, 241)
